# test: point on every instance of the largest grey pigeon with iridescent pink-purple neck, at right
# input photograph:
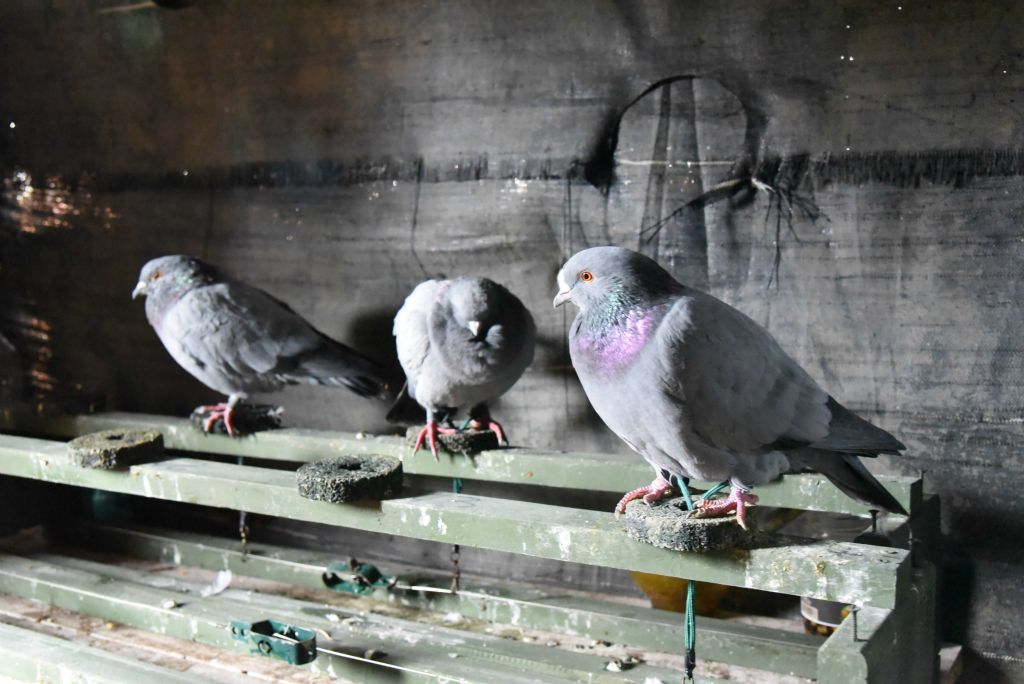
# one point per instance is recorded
(701, 391)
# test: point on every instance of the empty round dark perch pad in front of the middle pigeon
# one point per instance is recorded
(344, 479)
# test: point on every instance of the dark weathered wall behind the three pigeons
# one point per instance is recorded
(337, 153)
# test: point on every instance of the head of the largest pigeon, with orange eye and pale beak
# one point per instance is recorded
(609, 279)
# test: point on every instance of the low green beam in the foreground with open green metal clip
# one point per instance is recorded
(421, 653)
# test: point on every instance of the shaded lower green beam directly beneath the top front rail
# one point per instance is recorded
(507, 603)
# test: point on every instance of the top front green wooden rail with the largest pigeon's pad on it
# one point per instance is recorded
(833, 571)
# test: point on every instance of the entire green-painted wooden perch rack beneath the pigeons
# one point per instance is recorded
(894, 588)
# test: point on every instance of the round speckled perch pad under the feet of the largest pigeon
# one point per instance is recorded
(667, 525)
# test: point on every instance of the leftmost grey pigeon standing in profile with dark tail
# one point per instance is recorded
(238, 339)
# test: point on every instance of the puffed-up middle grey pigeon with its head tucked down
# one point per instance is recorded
(462, 344)
